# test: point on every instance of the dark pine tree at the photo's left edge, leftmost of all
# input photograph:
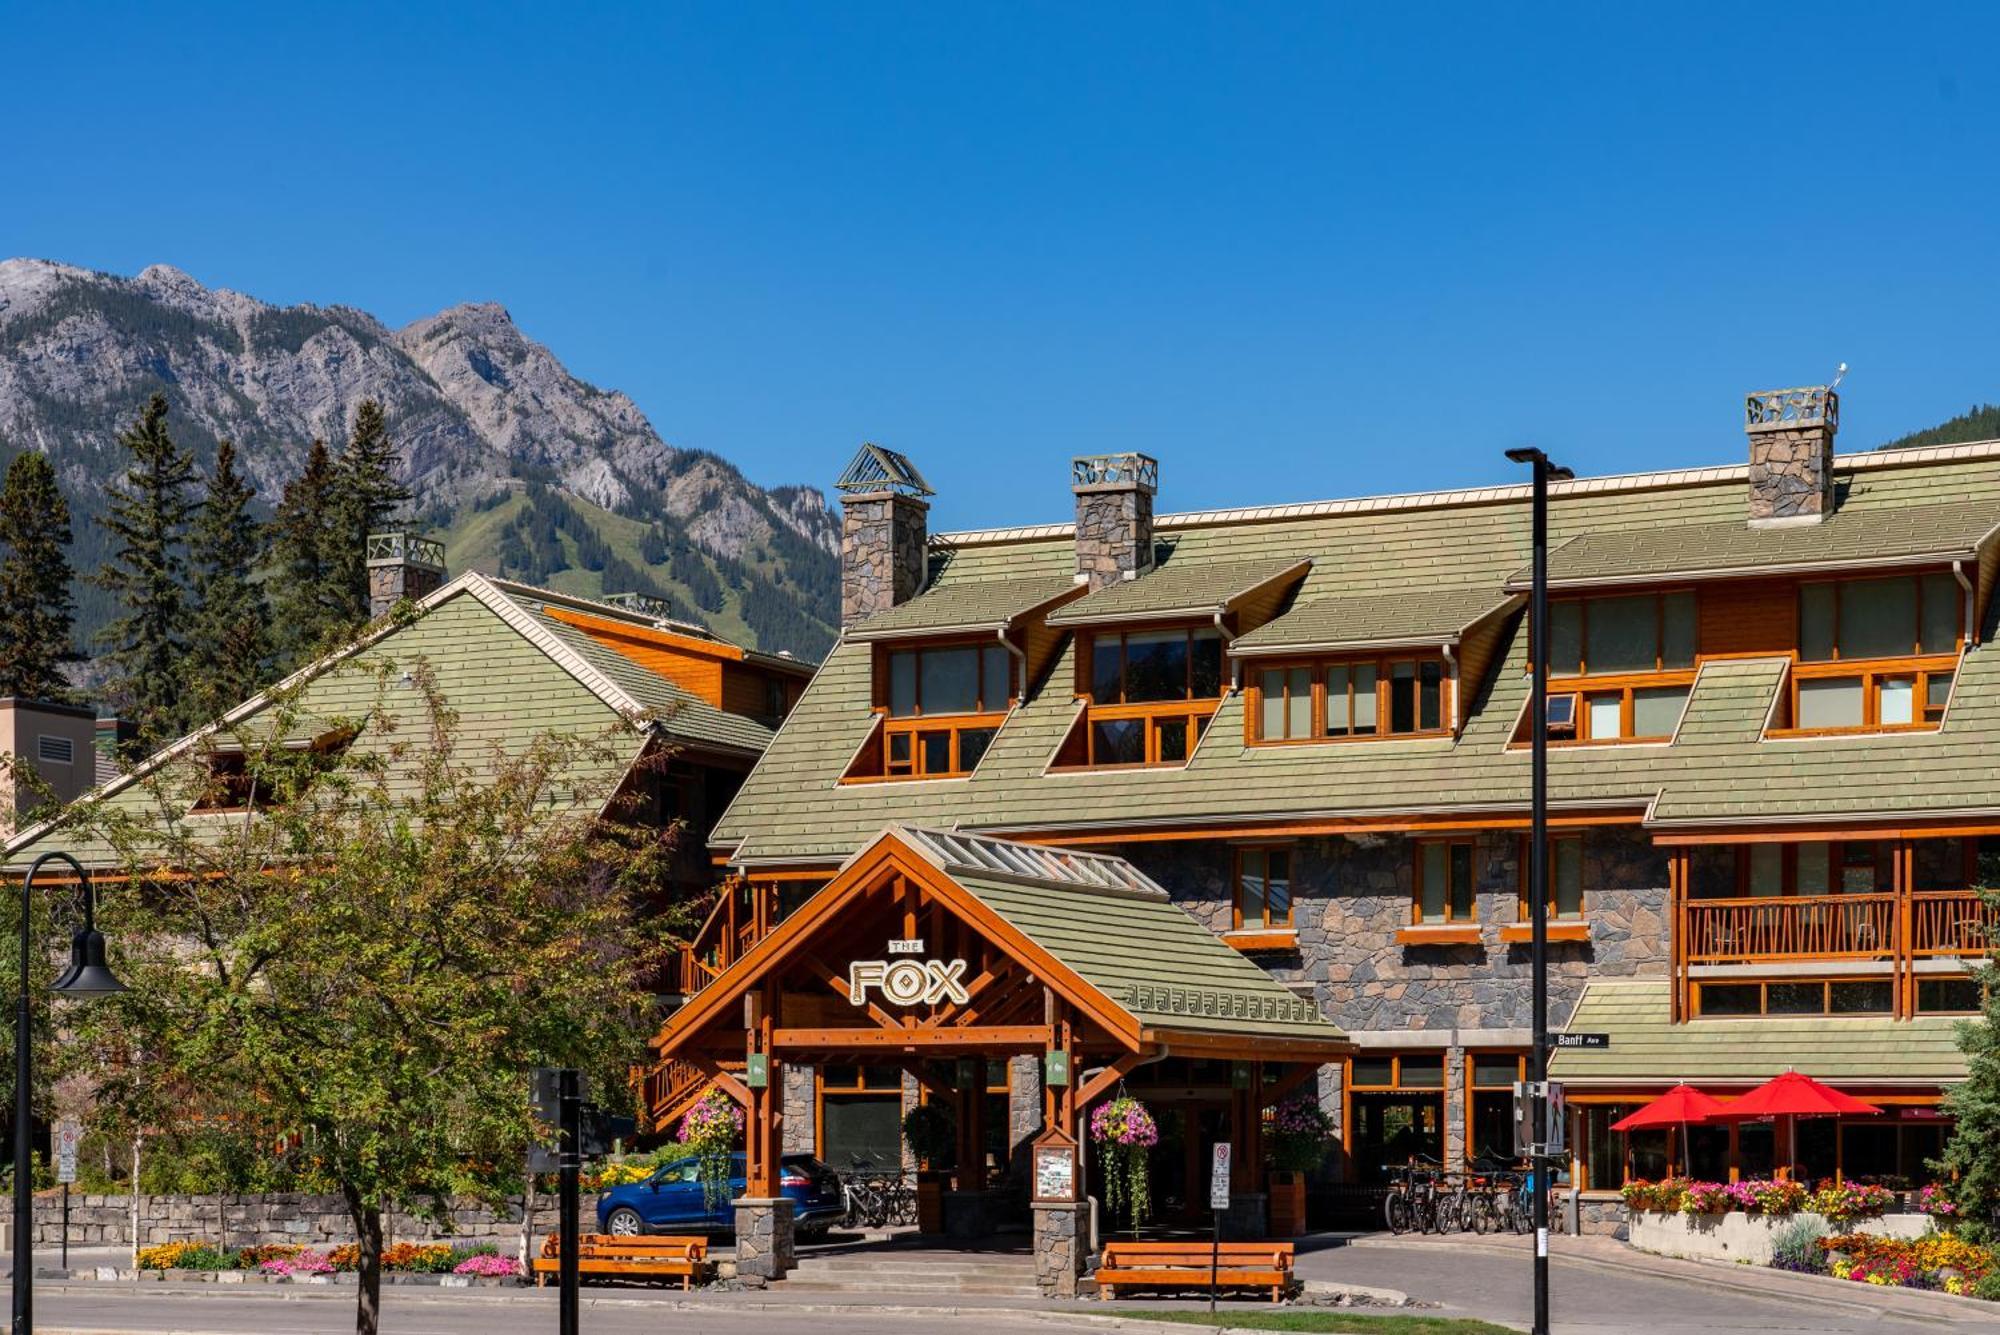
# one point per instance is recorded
(37, 615)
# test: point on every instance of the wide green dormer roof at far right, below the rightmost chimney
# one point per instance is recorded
(1951, 531)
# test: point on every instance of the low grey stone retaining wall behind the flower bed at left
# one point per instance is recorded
(277, 1218)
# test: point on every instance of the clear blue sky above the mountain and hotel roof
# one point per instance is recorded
(1295, 251)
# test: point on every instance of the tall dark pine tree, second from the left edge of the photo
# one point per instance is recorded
(147, 575)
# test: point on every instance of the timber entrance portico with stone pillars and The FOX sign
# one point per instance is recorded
(937, 954)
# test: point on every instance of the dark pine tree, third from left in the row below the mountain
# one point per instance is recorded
(229, 645)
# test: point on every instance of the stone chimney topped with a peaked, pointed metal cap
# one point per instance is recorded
(885, 537)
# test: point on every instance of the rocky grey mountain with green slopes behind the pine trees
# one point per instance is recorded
(521, 467)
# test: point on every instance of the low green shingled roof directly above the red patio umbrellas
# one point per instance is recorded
(1647, 1048)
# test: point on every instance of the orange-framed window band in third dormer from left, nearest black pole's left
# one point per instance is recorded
(1341, 700)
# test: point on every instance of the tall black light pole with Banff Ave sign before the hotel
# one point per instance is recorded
(1545, 473)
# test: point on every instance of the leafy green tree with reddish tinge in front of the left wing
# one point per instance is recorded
(373, 968)
